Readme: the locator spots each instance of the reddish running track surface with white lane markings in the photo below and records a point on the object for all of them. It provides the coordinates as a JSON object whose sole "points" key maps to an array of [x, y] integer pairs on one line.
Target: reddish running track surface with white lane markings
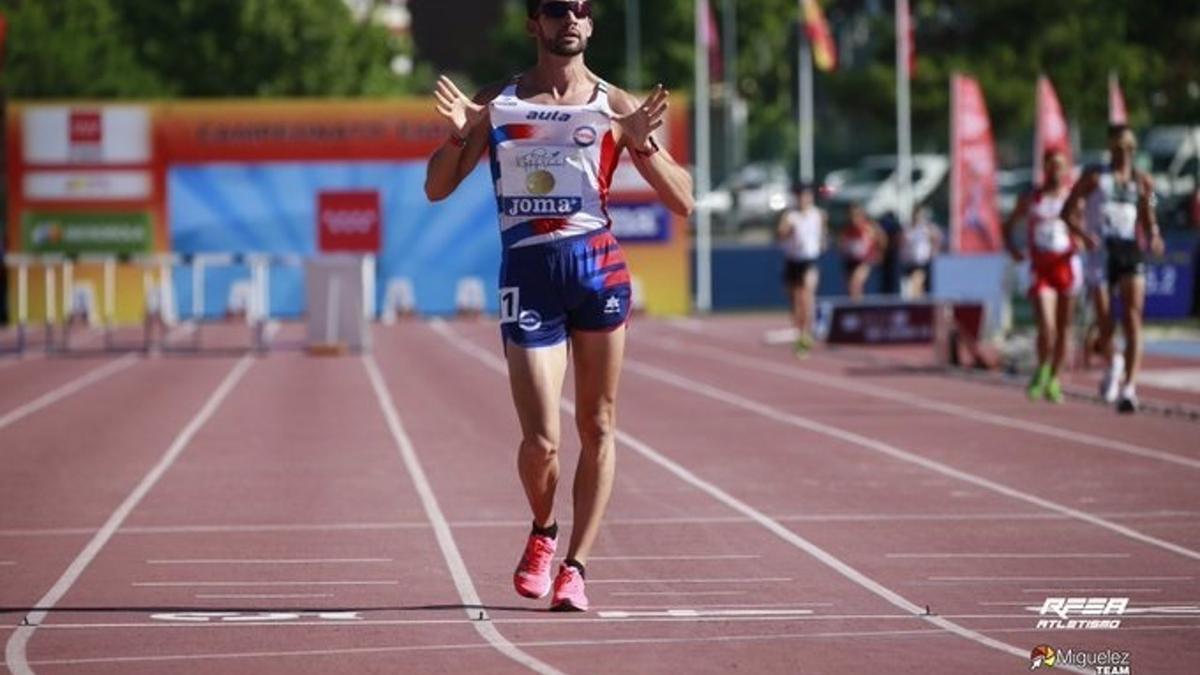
{"points": [[290, 515]]}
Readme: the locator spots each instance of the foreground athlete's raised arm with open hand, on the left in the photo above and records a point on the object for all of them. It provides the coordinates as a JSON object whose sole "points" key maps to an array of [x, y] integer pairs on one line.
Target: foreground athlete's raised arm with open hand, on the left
{"points": [[467, 122]]}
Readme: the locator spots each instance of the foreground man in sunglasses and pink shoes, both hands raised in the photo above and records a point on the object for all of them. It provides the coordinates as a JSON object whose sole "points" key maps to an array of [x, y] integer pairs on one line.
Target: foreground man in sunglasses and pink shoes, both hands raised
{"points": [[555, 135]]}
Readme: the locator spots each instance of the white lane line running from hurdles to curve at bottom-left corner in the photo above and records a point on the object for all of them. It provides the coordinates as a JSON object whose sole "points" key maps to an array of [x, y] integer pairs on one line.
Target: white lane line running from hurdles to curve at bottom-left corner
{"points": [[15, 649]]}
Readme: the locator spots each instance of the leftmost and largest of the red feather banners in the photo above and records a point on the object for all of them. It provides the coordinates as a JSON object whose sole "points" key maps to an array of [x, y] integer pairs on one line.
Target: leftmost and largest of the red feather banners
{"points": [[975, 222]]}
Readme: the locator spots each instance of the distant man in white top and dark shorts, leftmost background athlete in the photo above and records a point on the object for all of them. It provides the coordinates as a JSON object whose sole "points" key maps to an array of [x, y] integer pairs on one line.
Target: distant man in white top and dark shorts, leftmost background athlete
{"points": [[803, 235]]}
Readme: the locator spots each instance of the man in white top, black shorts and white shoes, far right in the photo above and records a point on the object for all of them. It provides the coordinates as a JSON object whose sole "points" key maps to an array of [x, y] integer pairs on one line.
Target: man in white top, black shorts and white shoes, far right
{"points": [[1118, 202]]}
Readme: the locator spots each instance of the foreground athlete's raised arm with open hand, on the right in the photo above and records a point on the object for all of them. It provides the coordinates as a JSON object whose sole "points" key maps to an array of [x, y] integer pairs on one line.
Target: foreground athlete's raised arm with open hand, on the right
{"points": [[635, 123]]}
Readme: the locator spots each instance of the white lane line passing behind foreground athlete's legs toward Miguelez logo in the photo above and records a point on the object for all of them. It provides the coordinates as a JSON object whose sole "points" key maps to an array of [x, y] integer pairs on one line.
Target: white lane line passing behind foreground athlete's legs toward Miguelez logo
{"points": [[764, 521]]}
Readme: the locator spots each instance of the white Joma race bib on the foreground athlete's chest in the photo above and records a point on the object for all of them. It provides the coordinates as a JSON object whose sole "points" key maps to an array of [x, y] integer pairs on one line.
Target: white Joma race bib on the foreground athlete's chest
{"points": [[543, 182]]}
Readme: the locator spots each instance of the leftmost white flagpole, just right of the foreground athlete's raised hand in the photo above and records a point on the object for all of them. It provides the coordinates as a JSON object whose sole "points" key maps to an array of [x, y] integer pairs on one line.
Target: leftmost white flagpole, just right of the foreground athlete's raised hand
{"points": [[704, 220]]}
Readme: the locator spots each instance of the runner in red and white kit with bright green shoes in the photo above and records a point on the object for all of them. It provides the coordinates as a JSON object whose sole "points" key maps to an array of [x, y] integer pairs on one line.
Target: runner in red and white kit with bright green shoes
{"points": [[1055, 267]]}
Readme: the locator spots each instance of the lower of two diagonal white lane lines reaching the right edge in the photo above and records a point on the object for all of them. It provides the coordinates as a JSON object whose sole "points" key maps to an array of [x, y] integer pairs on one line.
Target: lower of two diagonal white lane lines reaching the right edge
{"points": [[763, 410]]}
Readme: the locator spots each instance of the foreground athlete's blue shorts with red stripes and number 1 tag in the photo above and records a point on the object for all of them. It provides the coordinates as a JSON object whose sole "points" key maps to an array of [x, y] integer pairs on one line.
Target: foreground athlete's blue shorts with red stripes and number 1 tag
{"points": [[548, 291]]}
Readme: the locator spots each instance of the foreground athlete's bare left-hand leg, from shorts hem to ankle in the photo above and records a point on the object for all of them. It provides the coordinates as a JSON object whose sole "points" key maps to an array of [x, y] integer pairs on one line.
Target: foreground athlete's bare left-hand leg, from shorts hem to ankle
{"points": [[536, 378]]}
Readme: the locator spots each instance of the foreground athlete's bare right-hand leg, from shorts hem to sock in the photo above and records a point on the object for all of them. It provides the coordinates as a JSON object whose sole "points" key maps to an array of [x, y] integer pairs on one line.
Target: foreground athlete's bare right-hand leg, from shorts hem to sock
{"points": [[598, 357]]}
